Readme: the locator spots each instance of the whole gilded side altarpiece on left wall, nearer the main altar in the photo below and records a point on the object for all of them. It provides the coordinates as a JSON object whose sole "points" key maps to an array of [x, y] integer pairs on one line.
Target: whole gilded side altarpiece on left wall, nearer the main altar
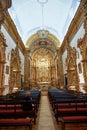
{"points": [[15, 70]]}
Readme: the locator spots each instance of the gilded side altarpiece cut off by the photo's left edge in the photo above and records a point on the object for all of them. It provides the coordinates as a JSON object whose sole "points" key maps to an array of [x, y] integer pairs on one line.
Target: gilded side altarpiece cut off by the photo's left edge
{"points": [[2, 59]]}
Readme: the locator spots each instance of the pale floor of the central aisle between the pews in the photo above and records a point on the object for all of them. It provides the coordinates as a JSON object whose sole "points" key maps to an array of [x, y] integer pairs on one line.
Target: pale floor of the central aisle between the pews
{"points": [[45, 118]]}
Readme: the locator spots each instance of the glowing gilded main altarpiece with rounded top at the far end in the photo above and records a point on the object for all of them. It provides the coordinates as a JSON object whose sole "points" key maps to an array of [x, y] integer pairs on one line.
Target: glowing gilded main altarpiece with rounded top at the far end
{"points": [[43, 67]]}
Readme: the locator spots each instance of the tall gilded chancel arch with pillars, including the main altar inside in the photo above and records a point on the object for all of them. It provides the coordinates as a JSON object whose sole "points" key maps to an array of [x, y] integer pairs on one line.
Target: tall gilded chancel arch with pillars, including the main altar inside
{"points": [[34, 45]]}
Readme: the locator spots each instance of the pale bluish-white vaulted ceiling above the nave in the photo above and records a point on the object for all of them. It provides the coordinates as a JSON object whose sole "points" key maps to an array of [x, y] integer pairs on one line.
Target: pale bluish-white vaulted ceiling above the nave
{"points": [[31, 16]]}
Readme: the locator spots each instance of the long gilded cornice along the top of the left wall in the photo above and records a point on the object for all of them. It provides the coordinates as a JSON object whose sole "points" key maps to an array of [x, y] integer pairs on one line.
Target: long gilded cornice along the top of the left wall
{"points": [[12, 30]]}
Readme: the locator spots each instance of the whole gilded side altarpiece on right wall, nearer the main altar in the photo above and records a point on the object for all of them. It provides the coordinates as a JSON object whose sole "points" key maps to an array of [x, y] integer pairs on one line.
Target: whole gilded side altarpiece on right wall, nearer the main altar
{"points": [[72, 75]]}
